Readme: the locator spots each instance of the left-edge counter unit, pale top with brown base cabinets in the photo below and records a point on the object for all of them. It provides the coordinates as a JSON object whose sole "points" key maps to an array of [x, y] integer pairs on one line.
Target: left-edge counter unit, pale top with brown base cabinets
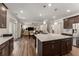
{"points": [[6, 46]]}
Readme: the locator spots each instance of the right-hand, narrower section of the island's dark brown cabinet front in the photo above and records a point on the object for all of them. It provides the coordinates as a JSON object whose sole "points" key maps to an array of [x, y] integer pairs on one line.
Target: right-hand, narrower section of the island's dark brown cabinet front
{"points": [[66, 46]]}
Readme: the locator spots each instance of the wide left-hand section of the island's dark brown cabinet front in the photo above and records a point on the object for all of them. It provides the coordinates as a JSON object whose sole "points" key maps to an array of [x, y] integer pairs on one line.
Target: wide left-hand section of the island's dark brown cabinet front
{"points": [[52, 48]]}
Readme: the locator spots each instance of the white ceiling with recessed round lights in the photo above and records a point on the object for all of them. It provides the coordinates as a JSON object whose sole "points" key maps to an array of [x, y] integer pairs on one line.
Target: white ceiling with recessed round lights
{"points": [[38, 12]]}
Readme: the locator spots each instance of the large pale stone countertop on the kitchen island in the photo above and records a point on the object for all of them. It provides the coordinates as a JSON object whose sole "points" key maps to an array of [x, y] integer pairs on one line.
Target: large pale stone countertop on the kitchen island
{"points": [[48, 37]]}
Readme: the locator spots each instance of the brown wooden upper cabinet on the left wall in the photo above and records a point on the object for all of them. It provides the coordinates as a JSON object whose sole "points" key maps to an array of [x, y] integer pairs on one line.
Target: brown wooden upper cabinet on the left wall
{"points": [[3, 15]]}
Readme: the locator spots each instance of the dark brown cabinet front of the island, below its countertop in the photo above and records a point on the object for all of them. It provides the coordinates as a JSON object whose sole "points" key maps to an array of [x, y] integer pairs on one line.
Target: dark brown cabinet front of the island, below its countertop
{"points": [[57, 47]]}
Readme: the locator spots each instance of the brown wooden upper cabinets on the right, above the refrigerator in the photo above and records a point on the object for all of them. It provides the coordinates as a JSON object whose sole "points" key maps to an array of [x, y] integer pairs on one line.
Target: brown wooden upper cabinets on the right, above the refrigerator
{"points": [[68, 22]]}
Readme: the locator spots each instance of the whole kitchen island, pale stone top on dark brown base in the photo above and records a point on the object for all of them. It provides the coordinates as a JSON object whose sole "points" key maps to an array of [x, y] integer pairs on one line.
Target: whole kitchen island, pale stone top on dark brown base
{"points": [[53, 44]]}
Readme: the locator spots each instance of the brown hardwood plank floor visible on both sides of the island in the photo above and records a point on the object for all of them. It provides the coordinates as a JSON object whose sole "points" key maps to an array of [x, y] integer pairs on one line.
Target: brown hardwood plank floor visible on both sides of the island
{"points": [[26, 47]]}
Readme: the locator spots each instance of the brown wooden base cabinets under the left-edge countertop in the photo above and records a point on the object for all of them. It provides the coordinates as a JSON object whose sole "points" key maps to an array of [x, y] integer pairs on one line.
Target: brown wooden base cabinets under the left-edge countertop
{"points": [[6, 48]]}
